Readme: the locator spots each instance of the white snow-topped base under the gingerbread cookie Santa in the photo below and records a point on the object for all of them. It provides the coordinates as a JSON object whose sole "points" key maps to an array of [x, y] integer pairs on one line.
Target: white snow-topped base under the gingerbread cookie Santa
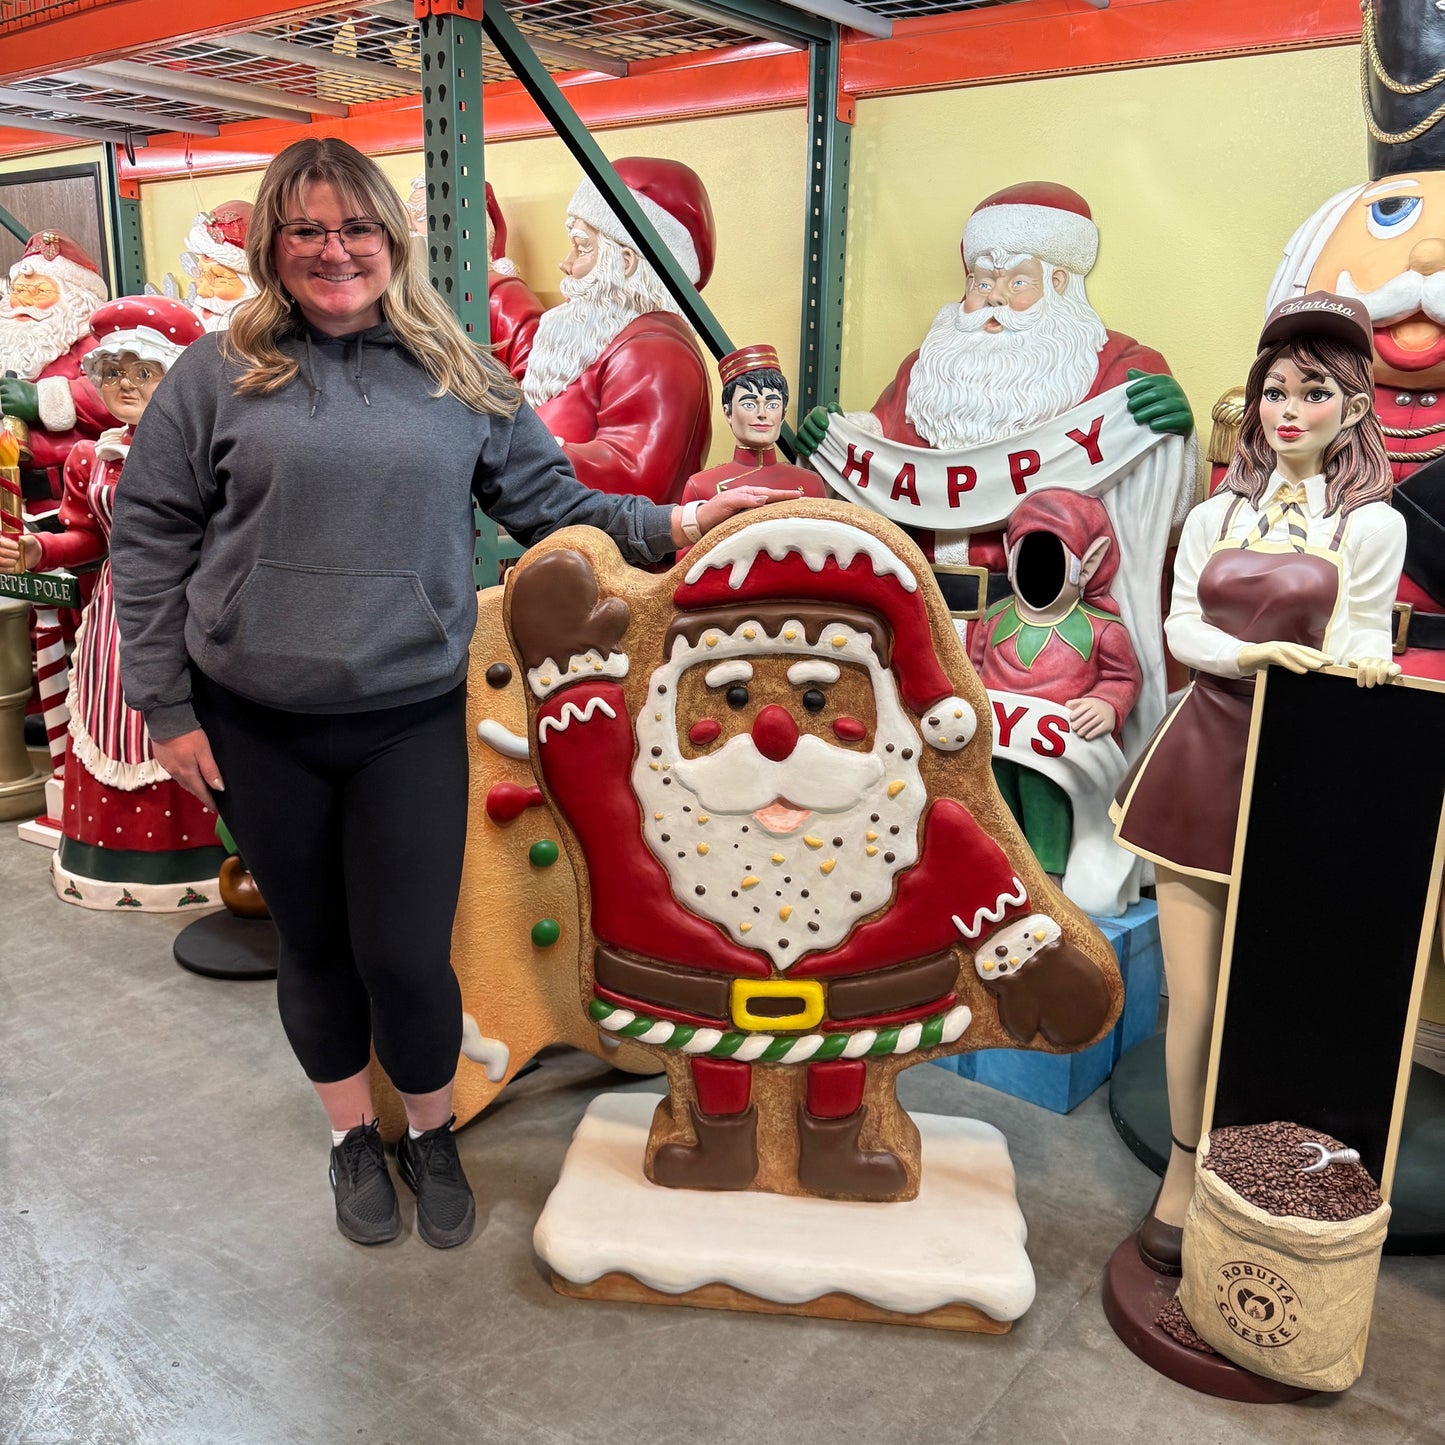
{"points": [[952, 1259]]}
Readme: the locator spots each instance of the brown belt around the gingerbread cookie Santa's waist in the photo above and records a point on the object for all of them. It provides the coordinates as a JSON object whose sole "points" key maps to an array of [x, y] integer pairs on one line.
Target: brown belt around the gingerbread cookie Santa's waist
{"points": [[710, 996]]}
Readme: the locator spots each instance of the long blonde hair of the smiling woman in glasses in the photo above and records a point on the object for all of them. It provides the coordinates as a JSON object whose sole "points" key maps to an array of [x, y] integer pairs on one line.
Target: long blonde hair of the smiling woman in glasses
{"points": [[421, 320]]}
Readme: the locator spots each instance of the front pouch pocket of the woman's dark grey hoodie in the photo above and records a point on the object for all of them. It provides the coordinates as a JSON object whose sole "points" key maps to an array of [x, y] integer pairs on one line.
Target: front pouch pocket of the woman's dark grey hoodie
{"points": [[311, 637]]}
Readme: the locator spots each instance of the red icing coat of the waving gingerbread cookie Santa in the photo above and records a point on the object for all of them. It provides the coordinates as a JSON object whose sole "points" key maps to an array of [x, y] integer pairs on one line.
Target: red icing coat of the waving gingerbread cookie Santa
{"points": [[587, 767]]}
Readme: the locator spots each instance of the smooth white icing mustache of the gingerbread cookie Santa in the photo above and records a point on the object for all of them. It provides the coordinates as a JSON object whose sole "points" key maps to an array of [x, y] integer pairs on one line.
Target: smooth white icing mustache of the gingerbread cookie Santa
{"points": [[817, 778]]}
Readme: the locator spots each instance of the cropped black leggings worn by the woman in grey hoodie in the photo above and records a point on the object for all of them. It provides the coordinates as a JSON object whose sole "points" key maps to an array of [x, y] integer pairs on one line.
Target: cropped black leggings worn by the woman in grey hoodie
{"points": [[355, 826]]}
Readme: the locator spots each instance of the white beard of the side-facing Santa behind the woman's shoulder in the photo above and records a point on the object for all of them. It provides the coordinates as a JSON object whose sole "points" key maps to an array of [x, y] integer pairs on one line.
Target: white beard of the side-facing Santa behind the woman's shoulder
{"points": [[573, 336]]}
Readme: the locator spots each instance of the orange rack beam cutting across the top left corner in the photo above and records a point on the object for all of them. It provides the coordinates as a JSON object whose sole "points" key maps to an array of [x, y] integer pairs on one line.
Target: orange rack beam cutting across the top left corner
{"points": [[122, 28]]}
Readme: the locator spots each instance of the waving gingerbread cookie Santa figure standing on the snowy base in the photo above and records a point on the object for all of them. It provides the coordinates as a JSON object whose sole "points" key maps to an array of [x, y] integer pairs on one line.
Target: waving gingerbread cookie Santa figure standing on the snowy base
{"points": [[797, 875]]}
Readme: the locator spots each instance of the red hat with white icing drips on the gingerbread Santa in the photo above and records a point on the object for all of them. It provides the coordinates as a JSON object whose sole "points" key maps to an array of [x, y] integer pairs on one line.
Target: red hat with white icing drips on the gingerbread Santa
{"points": [[816, 561]]}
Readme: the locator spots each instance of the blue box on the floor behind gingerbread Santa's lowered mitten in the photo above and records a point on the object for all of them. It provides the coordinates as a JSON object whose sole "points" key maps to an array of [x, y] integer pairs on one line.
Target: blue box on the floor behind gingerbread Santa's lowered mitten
{"points": [[1060, 1082]]}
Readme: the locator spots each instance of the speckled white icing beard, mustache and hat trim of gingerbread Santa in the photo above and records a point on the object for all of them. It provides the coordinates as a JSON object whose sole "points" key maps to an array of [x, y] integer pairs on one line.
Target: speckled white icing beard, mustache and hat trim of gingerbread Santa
{"points": [[834, 869]]}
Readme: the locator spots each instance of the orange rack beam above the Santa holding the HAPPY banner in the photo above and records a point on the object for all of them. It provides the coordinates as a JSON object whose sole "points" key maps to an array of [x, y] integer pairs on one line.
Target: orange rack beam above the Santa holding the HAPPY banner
{"points": [[1069, 37]]}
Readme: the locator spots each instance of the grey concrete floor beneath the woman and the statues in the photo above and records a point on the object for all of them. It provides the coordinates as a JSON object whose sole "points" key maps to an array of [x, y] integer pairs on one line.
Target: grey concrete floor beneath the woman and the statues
{"points": [[171, 1271]]}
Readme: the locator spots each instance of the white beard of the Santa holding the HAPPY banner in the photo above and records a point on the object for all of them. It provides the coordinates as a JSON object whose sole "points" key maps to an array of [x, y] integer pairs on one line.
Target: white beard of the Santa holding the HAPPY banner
{"points": [[972, 387]]}
